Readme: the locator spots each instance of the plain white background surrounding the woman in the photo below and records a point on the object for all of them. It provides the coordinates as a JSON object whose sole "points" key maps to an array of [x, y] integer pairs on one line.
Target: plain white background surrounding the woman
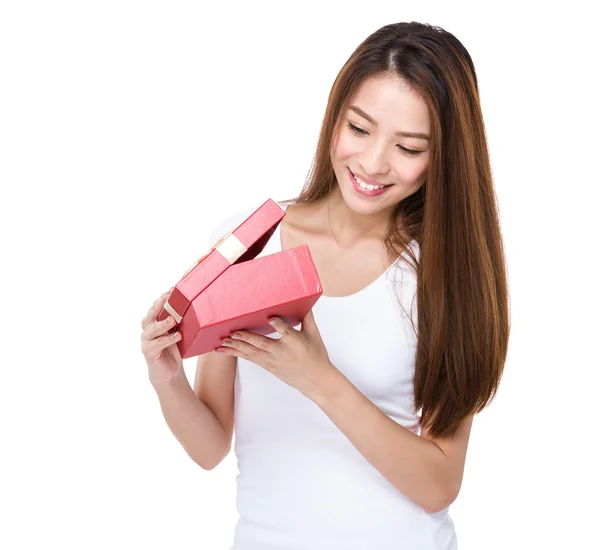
{"points": [[128, 130]]}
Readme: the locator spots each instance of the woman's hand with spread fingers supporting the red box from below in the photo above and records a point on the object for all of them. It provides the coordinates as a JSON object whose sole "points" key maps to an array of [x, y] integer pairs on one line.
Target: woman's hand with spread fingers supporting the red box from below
{"points": [[298, 358]]}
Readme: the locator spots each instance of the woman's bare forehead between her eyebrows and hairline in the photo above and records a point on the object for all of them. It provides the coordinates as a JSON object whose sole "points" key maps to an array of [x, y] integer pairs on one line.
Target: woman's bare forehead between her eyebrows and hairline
{"points": [[393, 104]]}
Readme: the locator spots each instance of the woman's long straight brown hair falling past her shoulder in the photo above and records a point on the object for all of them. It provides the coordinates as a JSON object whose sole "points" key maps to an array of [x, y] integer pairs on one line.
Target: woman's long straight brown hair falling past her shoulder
{"points": [[462, 293]]}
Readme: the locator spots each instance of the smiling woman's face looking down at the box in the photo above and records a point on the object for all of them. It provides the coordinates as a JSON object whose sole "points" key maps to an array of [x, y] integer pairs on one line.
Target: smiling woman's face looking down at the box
{"points": [[382, 107]]}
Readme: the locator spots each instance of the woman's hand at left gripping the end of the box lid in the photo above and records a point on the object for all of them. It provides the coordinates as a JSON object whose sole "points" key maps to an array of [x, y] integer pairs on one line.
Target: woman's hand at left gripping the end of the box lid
{"points": [[158, 346]]}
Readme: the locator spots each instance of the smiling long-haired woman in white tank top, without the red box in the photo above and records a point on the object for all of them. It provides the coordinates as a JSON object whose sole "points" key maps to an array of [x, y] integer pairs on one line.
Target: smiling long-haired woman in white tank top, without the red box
{"points": [[352, 432]]}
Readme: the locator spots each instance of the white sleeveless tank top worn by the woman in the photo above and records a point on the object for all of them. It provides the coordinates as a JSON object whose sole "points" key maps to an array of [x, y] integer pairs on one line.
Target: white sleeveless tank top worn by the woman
{"points": [[302, 485]]}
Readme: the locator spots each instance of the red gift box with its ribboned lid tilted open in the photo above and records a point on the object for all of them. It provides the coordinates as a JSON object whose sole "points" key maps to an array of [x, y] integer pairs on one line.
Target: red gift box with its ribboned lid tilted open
{"points": [[230, 289]]}
